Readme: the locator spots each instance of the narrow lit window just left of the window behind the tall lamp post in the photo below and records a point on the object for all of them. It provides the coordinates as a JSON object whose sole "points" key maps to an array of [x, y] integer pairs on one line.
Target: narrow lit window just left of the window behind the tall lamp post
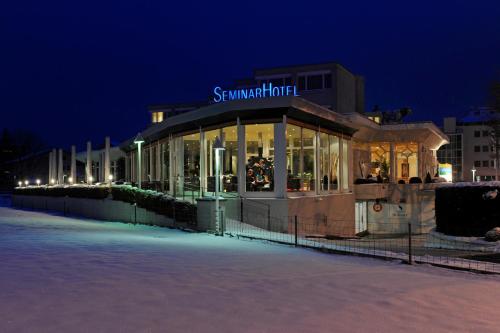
{"points": [[191, 143]]}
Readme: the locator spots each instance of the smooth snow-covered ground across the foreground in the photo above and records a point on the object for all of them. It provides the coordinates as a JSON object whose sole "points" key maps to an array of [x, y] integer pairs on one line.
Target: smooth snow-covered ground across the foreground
{"points": [[61, 274]]}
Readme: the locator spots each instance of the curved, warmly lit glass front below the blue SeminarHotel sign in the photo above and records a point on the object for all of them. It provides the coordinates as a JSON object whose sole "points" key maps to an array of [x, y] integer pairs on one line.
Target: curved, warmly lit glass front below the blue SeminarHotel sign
{"points": [[316, 162]]}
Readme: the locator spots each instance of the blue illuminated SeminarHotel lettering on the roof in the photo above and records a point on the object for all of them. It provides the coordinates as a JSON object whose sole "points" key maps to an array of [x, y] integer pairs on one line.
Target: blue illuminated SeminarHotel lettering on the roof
{"points": [[266, 90]]}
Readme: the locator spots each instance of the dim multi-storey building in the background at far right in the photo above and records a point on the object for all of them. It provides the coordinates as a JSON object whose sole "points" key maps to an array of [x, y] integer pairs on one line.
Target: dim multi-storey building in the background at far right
{"points": [[471, 145]]}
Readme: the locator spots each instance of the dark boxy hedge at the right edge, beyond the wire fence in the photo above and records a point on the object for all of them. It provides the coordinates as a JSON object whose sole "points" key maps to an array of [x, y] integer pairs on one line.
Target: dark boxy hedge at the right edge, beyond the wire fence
{"points": [[463, 210]]}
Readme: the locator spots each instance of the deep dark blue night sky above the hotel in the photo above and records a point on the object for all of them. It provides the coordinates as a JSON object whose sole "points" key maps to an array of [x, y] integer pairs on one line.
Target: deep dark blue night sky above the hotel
{"points": [[79, 70]]}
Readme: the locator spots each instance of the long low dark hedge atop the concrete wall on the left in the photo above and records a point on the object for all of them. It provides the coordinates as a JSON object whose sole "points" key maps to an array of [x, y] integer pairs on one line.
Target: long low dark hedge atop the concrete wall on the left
{"points": [[154, 201]]}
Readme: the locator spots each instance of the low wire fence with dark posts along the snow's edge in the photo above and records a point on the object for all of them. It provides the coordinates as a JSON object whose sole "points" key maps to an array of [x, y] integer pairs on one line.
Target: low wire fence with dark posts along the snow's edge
{"points": [[336, 237]]}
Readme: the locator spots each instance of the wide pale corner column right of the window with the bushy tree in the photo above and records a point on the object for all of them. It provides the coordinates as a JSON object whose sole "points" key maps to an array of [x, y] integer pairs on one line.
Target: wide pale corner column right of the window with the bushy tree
{"points": [[280, 172]]}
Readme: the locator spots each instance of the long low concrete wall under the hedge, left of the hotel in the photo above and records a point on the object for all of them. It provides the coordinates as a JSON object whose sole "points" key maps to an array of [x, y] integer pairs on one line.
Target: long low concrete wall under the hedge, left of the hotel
{"points": [[107, 209]]}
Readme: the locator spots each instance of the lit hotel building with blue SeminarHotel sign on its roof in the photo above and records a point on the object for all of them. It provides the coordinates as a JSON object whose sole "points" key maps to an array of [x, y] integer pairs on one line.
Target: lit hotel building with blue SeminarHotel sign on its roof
{"points": [[297, 155]]}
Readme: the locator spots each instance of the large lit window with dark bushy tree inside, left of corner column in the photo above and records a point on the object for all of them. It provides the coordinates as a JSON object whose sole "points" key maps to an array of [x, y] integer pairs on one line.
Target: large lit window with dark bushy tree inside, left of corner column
{"points": [[259, 157]]}
